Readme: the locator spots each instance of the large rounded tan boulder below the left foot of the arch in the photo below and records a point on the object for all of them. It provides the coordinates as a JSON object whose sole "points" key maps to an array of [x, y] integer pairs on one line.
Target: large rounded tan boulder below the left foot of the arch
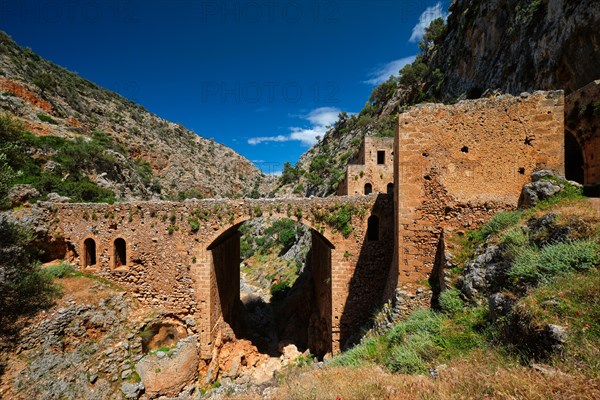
{"points": [[166, 376]]}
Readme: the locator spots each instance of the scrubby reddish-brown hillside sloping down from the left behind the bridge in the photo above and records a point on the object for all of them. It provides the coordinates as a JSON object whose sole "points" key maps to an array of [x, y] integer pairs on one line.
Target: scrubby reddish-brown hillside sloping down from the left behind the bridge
{"points": [[148, 157]]}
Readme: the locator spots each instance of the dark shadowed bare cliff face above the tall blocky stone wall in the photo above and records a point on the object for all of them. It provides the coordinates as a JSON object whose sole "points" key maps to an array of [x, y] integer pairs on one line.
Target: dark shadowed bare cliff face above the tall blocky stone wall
{"points": [[520, 45]]}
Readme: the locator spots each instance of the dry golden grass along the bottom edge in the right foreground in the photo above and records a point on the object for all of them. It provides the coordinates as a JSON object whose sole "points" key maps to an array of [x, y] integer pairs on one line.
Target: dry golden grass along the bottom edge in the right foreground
{"points": [[483, 375]]}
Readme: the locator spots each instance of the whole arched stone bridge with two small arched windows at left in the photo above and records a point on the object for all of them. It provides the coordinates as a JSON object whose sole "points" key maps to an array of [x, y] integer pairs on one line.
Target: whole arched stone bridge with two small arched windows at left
{"points": [[184, 257]]}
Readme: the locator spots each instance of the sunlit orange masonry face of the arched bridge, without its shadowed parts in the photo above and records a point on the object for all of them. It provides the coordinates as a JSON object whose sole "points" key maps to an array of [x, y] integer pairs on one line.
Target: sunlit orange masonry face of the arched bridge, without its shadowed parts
{"points": [[170, 263]]}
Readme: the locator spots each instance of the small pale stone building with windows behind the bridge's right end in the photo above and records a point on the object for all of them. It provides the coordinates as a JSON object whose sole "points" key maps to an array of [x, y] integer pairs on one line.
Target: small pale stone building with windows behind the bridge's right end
{"points": [[371, 170]]}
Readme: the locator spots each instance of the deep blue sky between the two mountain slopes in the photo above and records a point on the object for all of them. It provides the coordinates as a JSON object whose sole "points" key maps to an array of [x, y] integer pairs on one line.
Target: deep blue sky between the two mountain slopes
{"points": [[263, 77]]}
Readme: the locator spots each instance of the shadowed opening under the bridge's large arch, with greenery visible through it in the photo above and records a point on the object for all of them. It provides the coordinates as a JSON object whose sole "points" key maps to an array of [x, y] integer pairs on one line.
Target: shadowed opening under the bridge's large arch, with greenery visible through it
{"points": [[273, 280]]}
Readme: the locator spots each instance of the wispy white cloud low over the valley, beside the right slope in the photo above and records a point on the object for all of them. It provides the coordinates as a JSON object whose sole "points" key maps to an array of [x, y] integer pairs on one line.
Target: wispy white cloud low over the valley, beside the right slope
{"points": [[320, 119]]}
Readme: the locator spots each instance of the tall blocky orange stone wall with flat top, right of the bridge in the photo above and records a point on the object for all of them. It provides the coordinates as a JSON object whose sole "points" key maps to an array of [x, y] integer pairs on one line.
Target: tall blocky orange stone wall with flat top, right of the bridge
{"points": [[458, 165]]}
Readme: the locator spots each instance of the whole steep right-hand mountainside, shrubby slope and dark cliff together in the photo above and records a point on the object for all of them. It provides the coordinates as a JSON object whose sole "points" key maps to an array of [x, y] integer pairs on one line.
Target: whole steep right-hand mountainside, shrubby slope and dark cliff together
{"points": [[507, 45]]}
